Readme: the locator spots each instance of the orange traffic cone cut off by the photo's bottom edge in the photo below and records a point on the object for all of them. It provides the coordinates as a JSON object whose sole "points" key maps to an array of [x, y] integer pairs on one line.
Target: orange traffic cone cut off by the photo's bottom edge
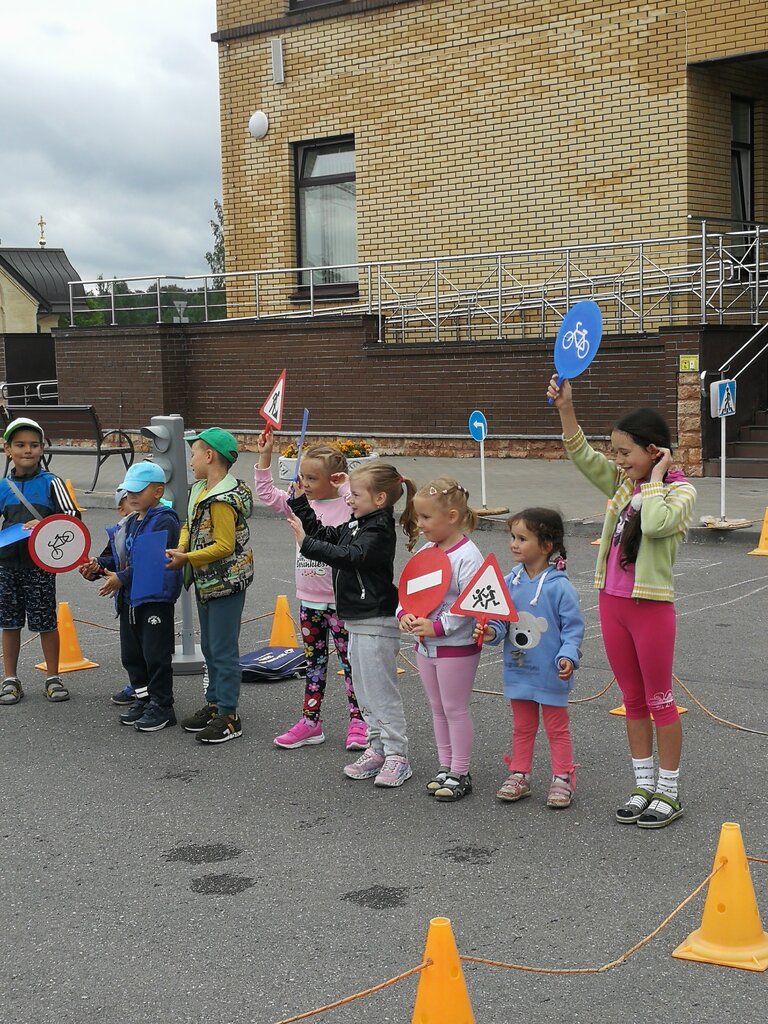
{"points": [[442, 997]]}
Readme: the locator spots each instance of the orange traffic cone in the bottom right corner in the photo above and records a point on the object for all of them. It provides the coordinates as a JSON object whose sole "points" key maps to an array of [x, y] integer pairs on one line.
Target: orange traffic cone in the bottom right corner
{"points": [[732, 933]]}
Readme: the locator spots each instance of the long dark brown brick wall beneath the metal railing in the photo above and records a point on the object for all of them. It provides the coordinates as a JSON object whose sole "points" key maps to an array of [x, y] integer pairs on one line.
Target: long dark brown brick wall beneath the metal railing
{"points": [[218, 374]]}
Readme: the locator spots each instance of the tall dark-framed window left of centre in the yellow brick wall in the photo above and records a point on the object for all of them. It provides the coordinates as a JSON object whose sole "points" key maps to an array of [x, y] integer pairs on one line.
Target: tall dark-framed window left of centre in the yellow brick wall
{"points": [[327, 226]]}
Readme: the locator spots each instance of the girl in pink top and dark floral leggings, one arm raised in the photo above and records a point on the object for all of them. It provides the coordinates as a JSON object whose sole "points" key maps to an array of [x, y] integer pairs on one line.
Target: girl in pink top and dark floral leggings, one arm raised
{"points": [[323, 470]]}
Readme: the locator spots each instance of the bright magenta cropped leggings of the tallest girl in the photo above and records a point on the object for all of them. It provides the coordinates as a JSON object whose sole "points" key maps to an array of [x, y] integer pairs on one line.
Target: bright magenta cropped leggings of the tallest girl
{"points": [[639, 639]]}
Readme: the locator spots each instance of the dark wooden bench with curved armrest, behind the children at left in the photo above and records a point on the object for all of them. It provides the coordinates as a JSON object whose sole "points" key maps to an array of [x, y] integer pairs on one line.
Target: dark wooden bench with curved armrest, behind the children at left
{"points": [[77, 422]]}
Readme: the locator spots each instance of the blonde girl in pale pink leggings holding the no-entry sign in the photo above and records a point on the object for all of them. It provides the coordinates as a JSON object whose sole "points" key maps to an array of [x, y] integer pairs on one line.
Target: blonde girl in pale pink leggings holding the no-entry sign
{"points": [[446, 654]]}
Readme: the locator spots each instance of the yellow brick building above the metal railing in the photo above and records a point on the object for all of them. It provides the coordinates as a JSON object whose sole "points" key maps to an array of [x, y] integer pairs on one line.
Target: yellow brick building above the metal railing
{"points": [[489, 125]]}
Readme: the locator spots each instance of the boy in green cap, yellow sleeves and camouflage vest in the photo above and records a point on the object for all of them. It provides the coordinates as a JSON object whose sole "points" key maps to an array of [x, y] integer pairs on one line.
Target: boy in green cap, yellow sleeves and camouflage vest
{"points": [[216, 552]]}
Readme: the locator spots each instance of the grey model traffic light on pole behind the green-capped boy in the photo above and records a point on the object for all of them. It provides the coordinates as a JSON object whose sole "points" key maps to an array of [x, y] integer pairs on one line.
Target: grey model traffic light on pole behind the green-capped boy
{"points": [[170, 453]]}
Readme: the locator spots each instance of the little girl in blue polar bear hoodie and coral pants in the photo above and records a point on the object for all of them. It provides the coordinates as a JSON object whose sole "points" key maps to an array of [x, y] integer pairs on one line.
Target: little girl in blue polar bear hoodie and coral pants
{"points": [[541, 653]]}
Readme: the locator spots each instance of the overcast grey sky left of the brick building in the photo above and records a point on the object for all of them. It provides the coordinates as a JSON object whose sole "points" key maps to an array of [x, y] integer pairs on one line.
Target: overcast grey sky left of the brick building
{"points": [[110, 130]]}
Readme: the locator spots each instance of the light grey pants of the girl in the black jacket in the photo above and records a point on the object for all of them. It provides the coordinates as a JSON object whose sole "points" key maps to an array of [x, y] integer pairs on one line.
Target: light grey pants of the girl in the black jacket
{"points": [[374, 660]]}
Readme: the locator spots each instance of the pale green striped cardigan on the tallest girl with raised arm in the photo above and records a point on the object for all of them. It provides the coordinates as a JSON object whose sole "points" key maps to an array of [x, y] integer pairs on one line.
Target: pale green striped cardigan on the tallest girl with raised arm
{"points": [[665, 518]]}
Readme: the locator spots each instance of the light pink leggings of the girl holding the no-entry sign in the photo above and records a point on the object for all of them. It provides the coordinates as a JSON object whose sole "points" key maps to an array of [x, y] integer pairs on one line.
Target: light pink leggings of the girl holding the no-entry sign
{"points": [[449, 682]]}
